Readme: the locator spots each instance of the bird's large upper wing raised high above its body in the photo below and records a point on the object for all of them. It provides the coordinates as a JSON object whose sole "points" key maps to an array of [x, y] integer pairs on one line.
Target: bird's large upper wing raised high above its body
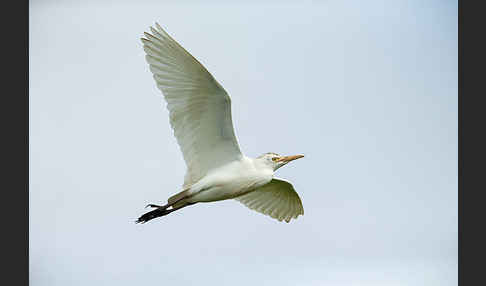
{"points": [[199, 107]]}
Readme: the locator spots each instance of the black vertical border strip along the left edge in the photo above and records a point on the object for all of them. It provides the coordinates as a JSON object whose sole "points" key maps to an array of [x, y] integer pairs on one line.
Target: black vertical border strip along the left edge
{"points": [[14, 209]]}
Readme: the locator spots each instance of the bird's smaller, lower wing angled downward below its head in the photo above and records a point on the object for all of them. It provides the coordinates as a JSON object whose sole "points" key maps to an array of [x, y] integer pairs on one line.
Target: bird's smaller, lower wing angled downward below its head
{"points": [[277, 199]]}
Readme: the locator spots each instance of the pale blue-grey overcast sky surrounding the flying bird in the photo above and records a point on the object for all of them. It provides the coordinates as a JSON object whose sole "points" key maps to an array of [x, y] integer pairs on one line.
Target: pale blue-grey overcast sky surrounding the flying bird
{"points": [[367, 90]]}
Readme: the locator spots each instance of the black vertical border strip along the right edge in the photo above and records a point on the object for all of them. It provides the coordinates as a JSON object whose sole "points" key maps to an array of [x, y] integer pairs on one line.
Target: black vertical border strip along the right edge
{"points": [[471, 143]]}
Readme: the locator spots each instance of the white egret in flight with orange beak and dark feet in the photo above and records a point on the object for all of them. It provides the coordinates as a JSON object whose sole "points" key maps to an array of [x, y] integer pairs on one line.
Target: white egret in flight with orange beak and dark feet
{"points": [[200, 116]]}
